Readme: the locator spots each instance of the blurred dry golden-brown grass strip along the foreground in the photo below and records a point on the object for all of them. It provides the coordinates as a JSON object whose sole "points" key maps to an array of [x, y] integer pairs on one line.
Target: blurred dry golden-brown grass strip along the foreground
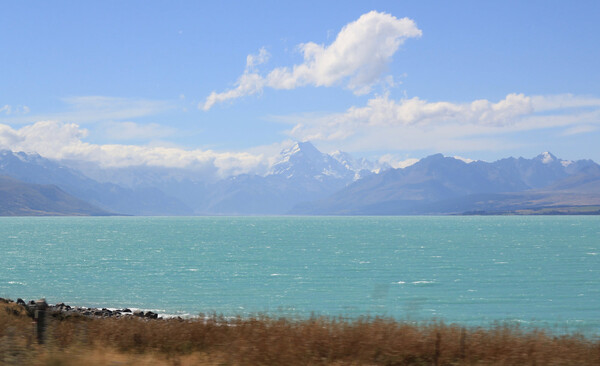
{"points": [[267, 341]]}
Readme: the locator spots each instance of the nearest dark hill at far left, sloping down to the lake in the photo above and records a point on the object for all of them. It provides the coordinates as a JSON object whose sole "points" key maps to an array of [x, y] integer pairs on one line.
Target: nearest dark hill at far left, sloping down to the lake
{"points": [[18, 198]]}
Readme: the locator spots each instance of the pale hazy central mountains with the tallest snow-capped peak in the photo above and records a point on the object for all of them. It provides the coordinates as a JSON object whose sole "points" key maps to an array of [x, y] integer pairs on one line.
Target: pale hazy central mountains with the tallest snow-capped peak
{"points": [[301, 173]]}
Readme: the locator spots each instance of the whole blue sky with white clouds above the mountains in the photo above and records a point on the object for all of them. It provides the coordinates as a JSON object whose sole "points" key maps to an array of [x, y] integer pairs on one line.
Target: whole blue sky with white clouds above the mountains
{"points": [[229, 84]]}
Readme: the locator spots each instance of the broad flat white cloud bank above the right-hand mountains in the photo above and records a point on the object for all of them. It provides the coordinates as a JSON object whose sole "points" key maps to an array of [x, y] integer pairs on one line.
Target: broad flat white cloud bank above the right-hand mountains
{"points": [[416, 124]]}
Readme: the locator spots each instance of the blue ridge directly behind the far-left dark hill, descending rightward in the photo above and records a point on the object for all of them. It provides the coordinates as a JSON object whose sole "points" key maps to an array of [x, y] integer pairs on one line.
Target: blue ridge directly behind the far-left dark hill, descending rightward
{"points": [[32, 168]]}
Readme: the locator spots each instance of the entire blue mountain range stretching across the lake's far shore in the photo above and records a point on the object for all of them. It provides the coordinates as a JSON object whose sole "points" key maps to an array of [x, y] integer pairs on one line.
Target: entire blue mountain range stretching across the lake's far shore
{"points": [[304, 181]]}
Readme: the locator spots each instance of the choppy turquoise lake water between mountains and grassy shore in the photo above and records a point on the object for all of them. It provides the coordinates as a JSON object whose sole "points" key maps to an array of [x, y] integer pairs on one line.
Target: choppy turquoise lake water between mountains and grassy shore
{"points": [[541, 271]]}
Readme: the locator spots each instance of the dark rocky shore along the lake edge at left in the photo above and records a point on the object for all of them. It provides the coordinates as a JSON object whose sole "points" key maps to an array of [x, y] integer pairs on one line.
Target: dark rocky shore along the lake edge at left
{"points": [[63, 310]]}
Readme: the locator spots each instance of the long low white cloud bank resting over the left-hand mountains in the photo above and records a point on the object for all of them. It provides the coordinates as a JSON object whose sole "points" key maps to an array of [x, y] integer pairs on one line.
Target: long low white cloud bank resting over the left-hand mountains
{"points": [[57, 140]]}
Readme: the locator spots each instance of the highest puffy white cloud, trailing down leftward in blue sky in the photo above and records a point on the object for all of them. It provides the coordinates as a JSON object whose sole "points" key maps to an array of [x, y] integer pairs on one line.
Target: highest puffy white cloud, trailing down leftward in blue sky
{"points": [[358, 58]]}
